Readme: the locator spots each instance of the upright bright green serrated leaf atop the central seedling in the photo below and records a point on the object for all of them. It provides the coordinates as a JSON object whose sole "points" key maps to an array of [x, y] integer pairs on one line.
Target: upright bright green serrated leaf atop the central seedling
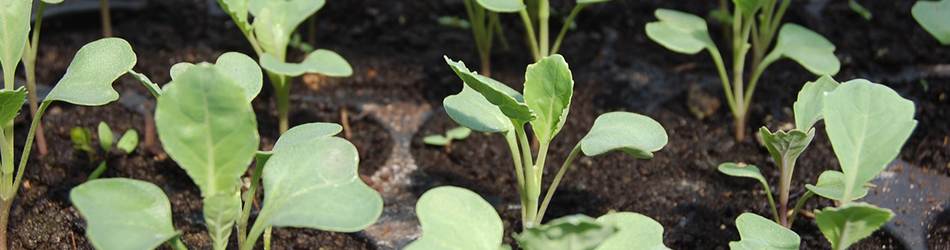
{"points": [[548, 89]]}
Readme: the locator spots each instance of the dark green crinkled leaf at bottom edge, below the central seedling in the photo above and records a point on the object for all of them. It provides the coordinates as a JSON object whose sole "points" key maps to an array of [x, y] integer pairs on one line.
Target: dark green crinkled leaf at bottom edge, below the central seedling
{"points": [[572, 232]]}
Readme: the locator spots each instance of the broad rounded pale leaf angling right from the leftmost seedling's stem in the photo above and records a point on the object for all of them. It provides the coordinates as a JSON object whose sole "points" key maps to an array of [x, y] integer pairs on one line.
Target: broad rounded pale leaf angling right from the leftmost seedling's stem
{"points": [[89, 77]]}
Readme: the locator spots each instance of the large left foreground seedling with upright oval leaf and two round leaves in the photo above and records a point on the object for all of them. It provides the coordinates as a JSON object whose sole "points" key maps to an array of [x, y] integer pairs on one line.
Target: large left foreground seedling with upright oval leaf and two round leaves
{"points": [[206, 124]]}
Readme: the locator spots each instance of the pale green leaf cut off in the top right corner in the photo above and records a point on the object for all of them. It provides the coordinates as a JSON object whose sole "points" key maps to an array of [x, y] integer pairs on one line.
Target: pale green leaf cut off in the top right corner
{"points": [[932, 15]]}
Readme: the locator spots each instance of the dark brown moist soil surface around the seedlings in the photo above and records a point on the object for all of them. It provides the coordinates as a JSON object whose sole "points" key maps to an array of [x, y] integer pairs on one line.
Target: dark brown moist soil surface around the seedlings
{"points": [[396, 50]]}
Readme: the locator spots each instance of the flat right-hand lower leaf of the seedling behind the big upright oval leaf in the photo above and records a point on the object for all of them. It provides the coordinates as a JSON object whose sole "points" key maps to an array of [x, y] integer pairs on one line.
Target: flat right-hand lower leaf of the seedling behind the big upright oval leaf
{"points": [[322, 61]]}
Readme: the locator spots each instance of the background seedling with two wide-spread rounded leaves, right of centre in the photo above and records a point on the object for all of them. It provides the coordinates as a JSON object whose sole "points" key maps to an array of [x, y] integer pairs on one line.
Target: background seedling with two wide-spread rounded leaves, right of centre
{"points": [[688, 34]]}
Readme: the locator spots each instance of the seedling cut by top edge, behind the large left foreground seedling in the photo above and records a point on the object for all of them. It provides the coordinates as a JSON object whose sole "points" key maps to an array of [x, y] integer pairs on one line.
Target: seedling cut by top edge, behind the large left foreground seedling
{"points": [[270, 34]]}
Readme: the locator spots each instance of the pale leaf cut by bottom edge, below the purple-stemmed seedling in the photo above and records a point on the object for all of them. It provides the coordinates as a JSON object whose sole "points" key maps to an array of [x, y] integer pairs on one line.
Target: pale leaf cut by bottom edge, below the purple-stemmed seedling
{"points": [[757, 233]]}
